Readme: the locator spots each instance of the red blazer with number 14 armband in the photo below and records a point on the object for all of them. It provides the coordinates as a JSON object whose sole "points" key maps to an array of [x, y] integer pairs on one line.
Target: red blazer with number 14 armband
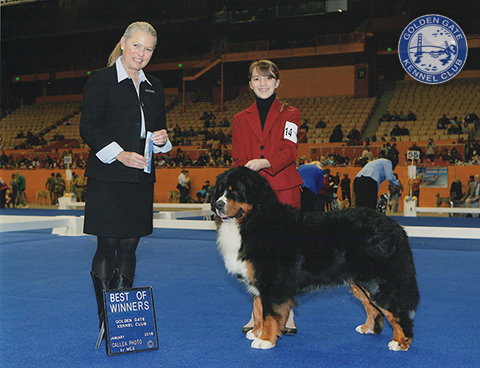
{"points": [[277, 143]]}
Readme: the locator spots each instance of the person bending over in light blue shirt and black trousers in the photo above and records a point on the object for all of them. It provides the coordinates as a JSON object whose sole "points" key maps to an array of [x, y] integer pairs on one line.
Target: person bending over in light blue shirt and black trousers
{"points": [[368, 180]]}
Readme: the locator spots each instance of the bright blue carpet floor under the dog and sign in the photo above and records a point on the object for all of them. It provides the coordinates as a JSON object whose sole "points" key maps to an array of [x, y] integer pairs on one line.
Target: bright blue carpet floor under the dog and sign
{"points": [[48, 310]]}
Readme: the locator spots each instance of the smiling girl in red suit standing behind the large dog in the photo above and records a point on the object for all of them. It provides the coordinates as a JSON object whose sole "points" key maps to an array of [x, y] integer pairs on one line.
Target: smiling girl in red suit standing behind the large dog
{"points": [[264, 139]]}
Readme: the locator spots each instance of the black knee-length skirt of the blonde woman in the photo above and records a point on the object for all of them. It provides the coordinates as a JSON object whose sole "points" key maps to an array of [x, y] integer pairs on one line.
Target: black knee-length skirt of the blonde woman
{"points": [[119, 210]]}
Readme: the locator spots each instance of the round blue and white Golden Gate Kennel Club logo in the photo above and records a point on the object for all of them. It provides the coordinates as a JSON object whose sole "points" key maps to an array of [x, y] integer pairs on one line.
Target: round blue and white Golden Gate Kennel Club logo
{"points": [[433, 49]]}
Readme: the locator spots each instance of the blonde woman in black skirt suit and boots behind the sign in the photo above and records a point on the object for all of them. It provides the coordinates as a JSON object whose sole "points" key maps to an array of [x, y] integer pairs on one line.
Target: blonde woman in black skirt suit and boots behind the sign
{"points": [[122, 106]]}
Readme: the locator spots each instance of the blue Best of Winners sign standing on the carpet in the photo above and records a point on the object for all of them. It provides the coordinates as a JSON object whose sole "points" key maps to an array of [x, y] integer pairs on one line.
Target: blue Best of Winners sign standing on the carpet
{"points": [[130, 321]]}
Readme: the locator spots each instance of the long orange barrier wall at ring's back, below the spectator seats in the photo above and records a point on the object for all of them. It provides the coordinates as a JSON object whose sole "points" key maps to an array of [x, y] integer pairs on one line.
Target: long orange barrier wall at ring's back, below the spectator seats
{"points": [[167, 180]]}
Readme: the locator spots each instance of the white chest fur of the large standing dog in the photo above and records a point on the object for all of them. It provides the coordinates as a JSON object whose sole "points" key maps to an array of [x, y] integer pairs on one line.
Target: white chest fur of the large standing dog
{"points": [[229, 242]]}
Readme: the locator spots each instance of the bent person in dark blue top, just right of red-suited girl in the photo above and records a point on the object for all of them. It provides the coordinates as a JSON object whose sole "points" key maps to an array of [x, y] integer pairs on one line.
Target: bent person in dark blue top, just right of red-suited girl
{"points": [[312, 176]]}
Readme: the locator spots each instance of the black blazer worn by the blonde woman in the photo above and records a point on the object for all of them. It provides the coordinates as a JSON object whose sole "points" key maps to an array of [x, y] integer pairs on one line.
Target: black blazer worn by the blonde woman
{"points": [[111, 112]]}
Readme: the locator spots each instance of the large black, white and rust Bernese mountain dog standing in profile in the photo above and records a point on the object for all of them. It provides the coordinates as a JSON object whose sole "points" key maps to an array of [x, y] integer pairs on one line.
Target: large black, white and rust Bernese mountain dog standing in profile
{"points": [[280, 252]]}
